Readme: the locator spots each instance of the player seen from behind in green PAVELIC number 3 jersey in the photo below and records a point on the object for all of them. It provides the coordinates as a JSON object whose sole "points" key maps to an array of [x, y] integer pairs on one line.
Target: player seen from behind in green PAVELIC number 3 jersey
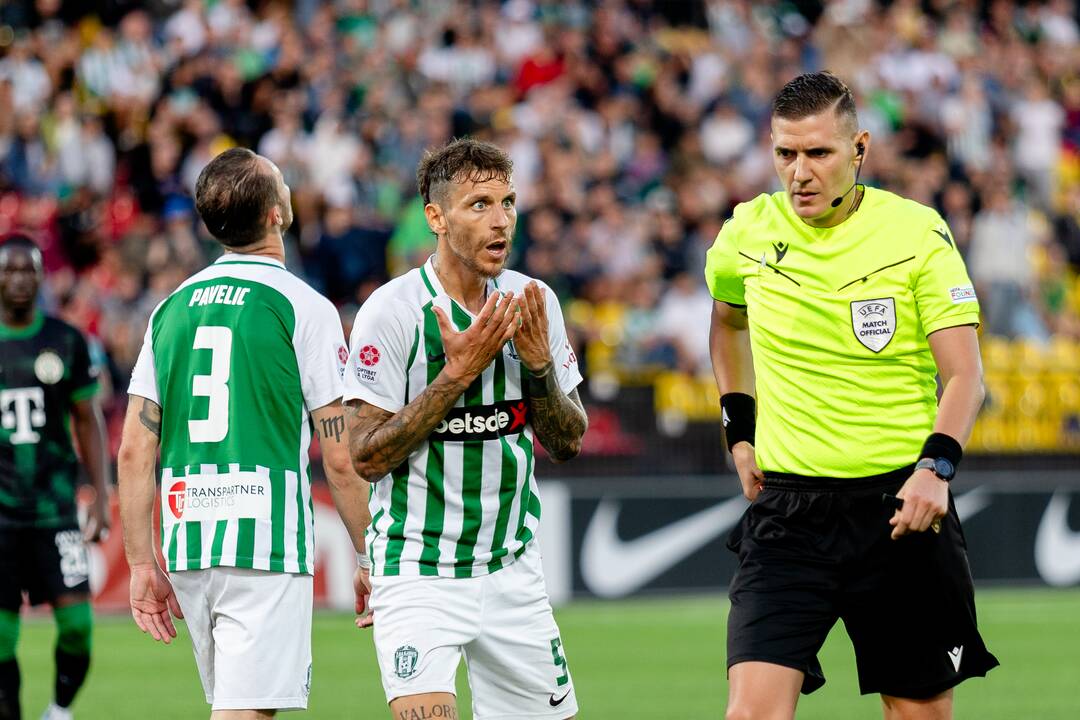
{"points": [[235, 368]]}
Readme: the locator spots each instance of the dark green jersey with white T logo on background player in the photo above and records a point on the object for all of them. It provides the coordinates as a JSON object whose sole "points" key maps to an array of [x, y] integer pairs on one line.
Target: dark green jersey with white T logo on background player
{"points": [[45, 369]]}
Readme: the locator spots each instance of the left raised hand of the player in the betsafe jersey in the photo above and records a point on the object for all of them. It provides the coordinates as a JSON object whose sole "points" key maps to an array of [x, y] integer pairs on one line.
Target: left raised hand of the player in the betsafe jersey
{"points": [[472, 350]]}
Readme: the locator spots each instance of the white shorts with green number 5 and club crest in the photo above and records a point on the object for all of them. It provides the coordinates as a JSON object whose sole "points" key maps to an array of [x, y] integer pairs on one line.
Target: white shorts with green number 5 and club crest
{"points": [[502, 622]]}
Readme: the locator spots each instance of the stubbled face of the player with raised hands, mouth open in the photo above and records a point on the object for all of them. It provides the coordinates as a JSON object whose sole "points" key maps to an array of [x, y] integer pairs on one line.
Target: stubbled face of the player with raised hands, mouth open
{"points": [[479, 224]]}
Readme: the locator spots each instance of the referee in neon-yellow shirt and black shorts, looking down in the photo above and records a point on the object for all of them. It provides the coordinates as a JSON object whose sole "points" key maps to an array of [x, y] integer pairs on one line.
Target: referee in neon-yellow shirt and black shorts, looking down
{"points": [[855, 300]]}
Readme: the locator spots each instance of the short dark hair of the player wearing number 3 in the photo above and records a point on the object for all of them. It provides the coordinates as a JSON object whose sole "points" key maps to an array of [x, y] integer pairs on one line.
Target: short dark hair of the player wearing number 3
{"points": [[234, 195]]}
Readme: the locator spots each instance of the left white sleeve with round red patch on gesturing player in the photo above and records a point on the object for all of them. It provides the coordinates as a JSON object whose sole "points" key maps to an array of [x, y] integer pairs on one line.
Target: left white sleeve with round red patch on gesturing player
{"points": [[379, 357]]}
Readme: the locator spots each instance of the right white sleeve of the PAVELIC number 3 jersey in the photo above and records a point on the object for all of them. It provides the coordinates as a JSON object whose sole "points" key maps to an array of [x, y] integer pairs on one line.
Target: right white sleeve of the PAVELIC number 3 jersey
{"points": [[321, 356]]}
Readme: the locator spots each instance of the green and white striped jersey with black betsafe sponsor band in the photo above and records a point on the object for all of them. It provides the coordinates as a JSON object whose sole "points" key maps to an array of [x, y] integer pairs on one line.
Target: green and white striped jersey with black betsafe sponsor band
{"points": [[466, 501]]}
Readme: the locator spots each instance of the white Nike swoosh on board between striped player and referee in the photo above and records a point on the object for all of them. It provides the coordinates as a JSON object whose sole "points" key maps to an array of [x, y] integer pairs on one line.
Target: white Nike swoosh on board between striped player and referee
{"points": [[613, 567]]}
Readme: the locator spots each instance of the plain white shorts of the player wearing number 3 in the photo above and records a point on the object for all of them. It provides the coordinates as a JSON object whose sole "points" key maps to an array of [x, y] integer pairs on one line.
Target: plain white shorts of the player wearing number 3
{"points": [[251, 631]]}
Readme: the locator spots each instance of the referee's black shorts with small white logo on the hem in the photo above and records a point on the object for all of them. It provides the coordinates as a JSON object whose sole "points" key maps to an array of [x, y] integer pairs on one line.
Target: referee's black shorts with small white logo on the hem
{"points": [[814, 551]]}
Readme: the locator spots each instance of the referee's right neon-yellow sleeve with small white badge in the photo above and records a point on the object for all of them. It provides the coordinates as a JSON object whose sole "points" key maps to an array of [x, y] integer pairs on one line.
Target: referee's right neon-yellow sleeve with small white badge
{"points": [[943, 291]]}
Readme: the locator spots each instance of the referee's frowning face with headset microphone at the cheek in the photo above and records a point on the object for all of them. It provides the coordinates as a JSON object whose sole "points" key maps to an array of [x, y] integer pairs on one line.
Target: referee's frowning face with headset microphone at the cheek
{"points": [[816, 158]]}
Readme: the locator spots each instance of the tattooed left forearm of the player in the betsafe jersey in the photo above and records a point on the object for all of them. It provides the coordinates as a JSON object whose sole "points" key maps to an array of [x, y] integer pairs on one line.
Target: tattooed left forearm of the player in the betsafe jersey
{"points": [[380, 442]]}
